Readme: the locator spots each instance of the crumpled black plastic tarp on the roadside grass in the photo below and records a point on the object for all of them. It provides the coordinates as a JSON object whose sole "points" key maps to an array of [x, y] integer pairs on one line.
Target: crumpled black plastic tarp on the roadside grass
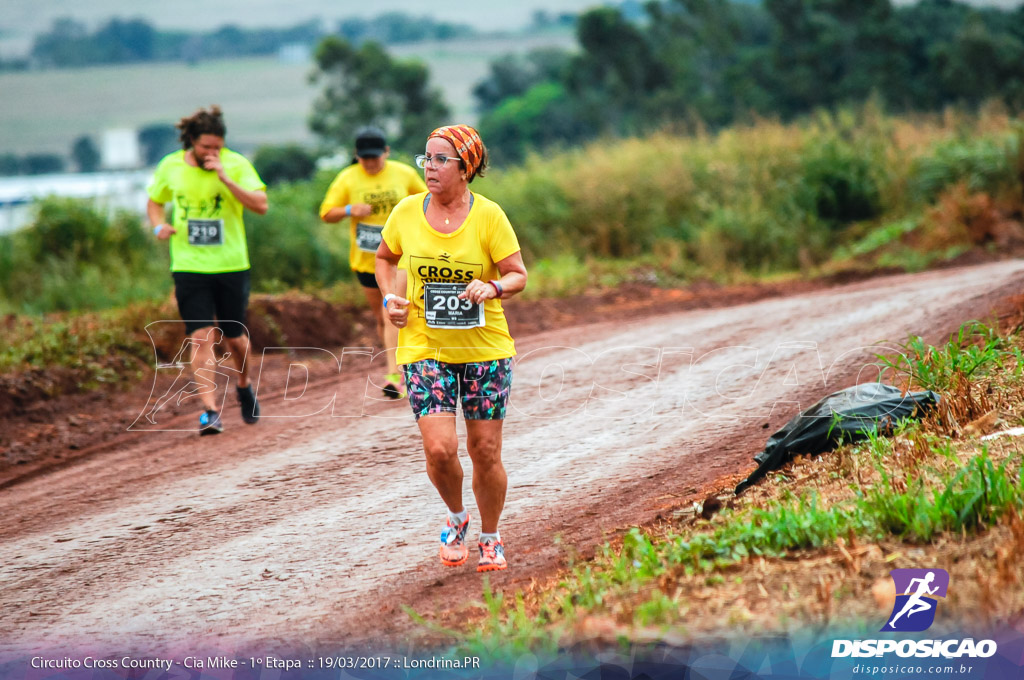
{"points": [[845, 416]]}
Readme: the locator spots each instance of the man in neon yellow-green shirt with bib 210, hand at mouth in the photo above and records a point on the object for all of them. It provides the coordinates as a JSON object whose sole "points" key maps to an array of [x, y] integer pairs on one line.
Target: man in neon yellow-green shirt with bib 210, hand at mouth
{"points": [[209, 187]]}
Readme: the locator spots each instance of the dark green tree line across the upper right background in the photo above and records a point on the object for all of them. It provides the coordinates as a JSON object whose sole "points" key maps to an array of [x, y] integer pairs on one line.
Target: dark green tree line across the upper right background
{"points": [[695, 63]]}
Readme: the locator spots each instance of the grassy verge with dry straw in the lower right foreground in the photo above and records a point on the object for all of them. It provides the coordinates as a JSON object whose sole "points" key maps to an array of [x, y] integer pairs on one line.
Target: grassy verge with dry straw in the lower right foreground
{"points": [[813, 546]]}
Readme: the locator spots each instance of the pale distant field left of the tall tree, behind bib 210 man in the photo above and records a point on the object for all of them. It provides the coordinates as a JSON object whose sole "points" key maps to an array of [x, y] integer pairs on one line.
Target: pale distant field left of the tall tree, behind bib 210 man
{"points": [[264, 100]]}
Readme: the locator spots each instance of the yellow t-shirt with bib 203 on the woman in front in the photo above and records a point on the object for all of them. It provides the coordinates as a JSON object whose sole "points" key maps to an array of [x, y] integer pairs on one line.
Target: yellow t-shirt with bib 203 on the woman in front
{"points": [[440, 266]]}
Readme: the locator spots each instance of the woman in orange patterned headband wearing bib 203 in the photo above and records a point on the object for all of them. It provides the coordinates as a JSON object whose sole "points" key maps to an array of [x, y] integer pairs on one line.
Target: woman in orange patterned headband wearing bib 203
{"points": [[462, 257]]}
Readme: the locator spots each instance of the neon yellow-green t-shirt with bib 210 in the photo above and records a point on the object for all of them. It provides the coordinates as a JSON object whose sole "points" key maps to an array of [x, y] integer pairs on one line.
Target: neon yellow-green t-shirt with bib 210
{"points": [[210, 235]]}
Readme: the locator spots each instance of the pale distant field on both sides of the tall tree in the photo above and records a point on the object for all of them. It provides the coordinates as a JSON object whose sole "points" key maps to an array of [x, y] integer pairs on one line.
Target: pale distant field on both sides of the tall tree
{"points": [[265, 101]]}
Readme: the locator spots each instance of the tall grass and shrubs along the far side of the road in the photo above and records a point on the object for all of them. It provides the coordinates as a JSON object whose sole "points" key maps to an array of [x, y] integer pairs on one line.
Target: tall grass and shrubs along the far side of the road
{"points": [[856, 189]]}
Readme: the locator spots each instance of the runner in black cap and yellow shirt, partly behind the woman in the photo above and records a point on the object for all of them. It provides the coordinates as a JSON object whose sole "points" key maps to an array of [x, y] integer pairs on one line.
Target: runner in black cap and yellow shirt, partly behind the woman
{"points": [[367, 192]]}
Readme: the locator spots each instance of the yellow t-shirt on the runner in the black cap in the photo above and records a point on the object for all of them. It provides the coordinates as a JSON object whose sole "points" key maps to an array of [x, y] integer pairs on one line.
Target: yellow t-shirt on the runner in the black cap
{"points": [[383, 192]]}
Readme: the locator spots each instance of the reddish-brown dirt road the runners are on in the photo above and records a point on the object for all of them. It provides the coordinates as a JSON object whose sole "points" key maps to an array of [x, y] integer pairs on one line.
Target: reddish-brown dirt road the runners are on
{"points": [[312, 530]]}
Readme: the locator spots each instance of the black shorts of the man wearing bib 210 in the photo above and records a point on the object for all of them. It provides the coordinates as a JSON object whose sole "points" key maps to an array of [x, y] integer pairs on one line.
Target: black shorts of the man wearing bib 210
{"points": [[206, 297]]}
